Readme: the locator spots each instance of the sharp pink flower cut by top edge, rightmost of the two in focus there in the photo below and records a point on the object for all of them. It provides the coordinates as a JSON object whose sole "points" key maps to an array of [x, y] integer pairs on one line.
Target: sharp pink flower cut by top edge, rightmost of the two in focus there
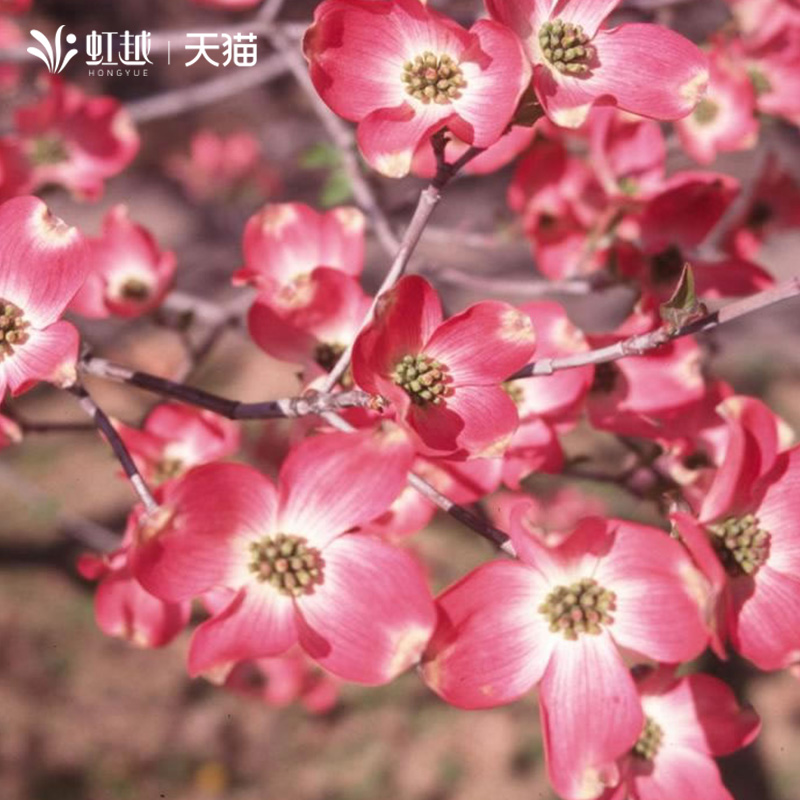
{"points": [[641, 68]]}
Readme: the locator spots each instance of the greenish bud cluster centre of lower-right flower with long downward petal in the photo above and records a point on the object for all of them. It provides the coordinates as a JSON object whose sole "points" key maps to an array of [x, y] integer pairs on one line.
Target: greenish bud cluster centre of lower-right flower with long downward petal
{"points": [[581, 607]]}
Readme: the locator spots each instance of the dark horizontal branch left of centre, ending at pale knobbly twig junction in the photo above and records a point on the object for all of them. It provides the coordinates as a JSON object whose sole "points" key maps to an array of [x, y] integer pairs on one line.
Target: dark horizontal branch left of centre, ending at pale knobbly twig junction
{"points": [[287, 407]]}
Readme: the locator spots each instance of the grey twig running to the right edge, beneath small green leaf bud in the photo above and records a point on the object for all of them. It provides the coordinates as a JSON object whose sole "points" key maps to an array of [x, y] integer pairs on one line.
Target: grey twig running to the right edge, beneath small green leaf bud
{"points": [[642, 343]]}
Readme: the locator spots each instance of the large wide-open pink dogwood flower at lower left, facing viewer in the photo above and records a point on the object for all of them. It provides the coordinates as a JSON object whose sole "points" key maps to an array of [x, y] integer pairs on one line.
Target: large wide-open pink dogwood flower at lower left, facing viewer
{"points": [[356, 605]]}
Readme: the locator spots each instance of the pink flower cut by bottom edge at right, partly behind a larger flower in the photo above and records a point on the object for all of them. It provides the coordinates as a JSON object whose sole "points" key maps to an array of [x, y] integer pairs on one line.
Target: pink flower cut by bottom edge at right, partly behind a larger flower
{"points": [[688, 721]]}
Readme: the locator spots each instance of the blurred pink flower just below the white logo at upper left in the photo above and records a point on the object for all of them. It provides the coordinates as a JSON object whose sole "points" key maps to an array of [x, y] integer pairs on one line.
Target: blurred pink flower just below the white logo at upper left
{"points": [[76, 141]]}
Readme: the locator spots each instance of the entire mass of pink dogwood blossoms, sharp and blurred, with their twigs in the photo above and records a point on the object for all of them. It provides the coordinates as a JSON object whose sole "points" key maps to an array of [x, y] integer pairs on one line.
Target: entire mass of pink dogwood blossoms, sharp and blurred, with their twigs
{"points": [[302, 562]]}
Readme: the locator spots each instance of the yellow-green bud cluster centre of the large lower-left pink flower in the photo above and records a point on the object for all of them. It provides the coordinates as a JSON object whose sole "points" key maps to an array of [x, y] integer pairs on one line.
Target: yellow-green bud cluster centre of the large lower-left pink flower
{"points": [[287, 563]]}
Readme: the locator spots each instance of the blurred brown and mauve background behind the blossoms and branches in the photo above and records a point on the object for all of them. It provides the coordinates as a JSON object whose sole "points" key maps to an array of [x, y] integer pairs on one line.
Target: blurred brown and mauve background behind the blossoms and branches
{"points": [[84, 717]]}
